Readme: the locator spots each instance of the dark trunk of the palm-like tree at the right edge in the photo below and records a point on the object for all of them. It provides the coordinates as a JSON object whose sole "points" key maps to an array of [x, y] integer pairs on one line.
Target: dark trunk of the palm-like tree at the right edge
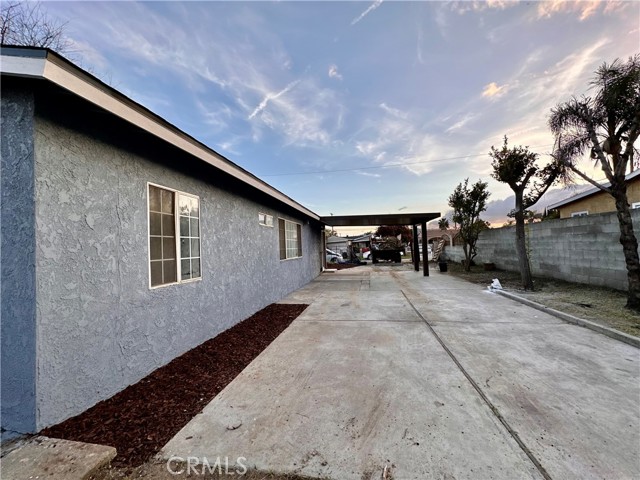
{"points": [[629, 245]]}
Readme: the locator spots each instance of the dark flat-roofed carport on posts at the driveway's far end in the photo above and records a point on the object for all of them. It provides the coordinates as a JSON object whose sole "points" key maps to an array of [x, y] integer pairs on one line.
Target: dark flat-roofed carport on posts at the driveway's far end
{"points": [[413, 219]]}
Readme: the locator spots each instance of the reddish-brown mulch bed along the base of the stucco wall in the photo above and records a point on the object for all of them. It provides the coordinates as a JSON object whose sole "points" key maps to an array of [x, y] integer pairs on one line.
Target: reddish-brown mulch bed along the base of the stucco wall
{"points": [[142, 418]]}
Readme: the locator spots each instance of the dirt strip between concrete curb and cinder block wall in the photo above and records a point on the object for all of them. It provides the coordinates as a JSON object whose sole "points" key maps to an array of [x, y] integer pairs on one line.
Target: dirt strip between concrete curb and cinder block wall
{"points": [[604, 306]]}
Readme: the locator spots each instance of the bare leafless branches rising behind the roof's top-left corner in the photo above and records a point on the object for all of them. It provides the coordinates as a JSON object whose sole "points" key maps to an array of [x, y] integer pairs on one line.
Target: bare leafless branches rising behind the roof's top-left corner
{"points": [[28, 24]]}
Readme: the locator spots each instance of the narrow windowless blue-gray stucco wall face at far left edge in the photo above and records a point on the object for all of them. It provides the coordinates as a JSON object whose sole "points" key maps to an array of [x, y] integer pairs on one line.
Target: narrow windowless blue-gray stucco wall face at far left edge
{"points": [[17, 263]]}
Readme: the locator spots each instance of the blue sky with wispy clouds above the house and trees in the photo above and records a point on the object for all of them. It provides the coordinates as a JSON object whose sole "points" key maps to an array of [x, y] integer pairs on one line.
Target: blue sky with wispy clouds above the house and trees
{"points": [[355, 107]]}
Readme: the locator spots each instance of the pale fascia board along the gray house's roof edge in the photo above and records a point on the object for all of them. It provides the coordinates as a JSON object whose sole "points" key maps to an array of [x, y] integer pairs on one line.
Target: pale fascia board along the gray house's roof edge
{"points": [[44, 64]]}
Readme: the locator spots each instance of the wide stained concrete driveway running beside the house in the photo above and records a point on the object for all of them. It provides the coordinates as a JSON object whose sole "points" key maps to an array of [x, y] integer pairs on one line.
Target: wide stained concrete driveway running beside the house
{"points": [[426, 377]]}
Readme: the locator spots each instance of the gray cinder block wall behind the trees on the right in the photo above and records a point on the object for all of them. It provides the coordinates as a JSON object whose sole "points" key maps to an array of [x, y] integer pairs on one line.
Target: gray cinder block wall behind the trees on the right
{"points": [[582, 249]]}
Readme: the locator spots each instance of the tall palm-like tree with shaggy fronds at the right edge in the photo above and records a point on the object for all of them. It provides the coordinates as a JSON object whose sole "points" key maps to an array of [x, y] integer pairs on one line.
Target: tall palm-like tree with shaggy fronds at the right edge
{"points": [[606, 126]]}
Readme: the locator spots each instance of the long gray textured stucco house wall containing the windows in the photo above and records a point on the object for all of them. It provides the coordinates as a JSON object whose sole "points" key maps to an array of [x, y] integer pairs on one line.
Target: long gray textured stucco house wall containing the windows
{"points": [[100, 327]]}
